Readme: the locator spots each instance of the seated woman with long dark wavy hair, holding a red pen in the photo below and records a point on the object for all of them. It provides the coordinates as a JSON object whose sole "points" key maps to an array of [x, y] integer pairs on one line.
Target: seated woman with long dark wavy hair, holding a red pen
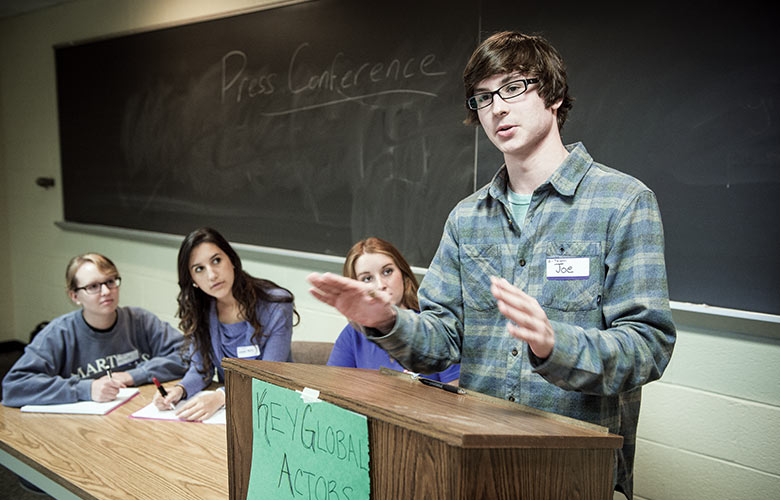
{"points": [[225, 313]]}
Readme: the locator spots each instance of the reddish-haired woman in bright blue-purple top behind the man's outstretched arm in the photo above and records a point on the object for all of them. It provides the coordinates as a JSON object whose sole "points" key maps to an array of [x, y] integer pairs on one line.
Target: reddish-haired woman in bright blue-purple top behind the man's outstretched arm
{"points": [[376, 261]]}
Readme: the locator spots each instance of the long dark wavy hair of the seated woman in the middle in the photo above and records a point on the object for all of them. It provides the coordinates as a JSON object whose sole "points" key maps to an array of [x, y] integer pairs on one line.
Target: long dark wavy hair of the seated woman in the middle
{"points": [[195, 304]]}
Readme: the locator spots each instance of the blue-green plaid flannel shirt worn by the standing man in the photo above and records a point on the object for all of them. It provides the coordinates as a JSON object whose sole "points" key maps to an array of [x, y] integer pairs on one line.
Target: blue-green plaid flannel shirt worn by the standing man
{"points": [[613, 330]]}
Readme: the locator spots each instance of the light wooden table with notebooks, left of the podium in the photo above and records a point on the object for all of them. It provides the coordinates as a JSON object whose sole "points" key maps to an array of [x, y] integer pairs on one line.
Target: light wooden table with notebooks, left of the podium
{"points": [[114, 456]]}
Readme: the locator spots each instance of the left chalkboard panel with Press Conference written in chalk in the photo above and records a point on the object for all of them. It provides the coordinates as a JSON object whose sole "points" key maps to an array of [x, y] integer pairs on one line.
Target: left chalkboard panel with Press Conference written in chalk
{"points": [[303, 127]]}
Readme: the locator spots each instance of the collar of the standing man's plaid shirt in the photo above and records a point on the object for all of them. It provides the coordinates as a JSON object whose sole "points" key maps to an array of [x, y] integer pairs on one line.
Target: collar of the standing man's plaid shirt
{"points": [[565, 179]]}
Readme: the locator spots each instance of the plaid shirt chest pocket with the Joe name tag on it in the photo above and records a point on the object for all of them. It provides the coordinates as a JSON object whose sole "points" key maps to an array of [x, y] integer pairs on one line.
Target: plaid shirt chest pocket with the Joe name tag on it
{"points": [[573, 275]]}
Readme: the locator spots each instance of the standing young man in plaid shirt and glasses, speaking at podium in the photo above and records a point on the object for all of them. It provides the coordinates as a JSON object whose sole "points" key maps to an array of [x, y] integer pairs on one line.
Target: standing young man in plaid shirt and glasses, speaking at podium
{"points": [[549, 284]]}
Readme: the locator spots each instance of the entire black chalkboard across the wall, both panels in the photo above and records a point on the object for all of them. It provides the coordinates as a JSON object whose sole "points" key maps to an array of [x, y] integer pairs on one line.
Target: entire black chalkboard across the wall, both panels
{"points": [[265, 126]]}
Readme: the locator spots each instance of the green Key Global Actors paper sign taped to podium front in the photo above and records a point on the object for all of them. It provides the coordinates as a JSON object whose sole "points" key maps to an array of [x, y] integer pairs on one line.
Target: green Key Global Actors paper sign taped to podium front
{"points": [[303, 447]]}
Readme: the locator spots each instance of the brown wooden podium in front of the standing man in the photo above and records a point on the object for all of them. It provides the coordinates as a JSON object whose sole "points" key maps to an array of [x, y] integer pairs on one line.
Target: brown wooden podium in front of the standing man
{"points": [[427, 443]]}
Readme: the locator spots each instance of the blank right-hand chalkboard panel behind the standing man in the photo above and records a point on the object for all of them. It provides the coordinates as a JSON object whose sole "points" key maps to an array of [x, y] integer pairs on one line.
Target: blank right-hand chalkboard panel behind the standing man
{"points": [[685, 98]]}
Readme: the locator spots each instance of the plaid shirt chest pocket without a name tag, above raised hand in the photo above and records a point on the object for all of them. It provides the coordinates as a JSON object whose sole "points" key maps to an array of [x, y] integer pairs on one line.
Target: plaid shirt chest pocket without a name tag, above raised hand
{"points": [[478, 264]]}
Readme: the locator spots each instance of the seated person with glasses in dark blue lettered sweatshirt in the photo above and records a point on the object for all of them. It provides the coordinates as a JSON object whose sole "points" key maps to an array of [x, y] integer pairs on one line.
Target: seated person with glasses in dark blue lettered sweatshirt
{"points": [[91, 353]]}
